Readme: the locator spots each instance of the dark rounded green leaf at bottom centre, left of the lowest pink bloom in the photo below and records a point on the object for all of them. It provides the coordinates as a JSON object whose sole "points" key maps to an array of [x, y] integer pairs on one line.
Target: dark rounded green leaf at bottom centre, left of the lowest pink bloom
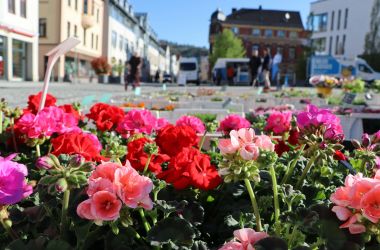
{"points": [[176, 230]]}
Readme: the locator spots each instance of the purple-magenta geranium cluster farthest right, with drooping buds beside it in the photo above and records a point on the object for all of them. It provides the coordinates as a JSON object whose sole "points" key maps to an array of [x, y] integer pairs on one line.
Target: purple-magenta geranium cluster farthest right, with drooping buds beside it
{"points": [[313, 119]]}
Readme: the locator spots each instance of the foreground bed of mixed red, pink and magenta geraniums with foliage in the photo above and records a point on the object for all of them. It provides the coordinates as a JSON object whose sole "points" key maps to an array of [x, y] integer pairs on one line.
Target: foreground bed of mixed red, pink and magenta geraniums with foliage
{"points": [[119, 177]]}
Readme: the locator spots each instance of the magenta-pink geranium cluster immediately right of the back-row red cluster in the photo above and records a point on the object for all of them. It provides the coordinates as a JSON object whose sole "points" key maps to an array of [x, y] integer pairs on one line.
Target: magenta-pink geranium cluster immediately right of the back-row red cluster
{"points": [[138, 121]]}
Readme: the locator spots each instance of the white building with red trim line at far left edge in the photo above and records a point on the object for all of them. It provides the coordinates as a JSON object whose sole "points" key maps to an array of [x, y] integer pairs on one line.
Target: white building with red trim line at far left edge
{"points": [[19, 40]]}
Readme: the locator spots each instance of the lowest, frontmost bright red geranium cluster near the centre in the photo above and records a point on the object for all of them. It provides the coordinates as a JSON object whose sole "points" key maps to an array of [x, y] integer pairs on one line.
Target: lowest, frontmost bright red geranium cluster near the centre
{"points": [[191, 168]]}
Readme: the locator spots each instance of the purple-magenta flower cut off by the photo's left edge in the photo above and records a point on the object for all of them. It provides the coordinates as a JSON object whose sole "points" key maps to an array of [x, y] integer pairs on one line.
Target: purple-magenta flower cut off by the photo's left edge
{"points": [[13, 185]]}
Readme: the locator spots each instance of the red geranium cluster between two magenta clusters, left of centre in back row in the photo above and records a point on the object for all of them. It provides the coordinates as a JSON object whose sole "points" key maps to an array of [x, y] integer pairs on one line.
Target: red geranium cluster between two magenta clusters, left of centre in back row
{"points": [[106, 117]]}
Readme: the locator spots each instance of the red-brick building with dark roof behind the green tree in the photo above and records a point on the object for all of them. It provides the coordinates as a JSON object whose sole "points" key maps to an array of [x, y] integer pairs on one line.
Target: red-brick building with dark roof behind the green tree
{"points": [[279, 31]]}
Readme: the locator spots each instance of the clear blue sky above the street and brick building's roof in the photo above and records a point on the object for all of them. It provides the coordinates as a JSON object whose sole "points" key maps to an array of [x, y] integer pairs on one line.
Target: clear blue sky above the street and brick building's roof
{"points": [[187, 21]]}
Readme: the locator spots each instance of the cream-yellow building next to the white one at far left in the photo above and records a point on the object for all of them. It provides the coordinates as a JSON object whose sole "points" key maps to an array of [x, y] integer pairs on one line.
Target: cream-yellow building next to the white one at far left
{"points": [[60, 19]]}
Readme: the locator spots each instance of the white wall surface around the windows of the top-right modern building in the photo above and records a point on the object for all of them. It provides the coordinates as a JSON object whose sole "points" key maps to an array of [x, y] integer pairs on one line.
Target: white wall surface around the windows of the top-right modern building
{"points": [[358, 25]]}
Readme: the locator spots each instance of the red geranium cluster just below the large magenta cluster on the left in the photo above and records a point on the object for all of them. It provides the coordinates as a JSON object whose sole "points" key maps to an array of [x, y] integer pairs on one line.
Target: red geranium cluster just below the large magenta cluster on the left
{"points": [[85, 144]]}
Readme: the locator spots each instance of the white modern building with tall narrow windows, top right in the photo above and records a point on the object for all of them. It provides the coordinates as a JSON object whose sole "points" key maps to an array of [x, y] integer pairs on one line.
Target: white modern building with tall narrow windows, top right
{"points": [[339, 26]]}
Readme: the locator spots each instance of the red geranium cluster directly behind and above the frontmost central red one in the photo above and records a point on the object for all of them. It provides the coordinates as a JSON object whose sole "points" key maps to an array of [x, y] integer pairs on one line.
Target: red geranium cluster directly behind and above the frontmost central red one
{"points": [[172, 139]]}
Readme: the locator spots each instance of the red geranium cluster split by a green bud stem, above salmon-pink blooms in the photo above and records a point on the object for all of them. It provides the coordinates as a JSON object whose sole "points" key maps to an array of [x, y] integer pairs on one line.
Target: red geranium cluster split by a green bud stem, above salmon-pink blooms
{"points": [[138, 158]]}
